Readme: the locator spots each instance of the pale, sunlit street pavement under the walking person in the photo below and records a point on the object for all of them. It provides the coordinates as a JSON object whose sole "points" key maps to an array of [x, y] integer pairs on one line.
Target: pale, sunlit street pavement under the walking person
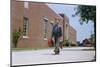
{"points": [[42, 56]]}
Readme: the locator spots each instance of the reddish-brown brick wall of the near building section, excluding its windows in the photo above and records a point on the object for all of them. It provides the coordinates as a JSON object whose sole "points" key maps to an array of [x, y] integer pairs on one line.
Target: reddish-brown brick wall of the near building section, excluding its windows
{"points": [[35, 13]]}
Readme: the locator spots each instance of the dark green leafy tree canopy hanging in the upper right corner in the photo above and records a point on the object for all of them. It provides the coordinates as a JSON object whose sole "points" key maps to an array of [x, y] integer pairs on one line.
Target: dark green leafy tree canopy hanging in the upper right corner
{"points": [[86, 13]]}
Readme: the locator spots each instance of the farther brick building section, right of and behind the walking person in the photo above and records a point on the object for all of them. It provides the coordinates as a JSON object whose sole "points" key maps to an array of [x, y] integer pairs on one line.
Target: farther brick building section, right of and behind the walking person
{"points": [[68, 31]]}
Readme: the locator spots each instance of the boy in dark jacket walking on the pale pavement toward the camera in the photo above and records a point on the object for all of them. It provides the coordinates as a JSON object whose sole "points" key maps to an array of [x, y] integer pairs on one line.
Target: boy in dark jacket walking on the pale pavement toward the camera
{"points": [[56, 33]]}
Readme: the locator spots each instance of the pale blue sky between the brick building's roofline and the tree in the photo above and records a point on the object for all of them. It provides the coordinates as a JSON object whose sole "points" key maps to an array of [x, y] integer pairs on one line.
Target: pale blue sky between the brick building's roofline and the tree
{"points": [[83, 31]]}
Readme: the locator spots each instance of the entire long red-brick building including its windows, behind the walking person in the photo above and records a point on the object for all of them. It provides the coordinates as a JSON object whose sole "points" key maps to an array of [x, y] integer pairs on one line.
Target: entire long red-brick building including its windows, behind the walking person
{"points": [[35, 21]]}
